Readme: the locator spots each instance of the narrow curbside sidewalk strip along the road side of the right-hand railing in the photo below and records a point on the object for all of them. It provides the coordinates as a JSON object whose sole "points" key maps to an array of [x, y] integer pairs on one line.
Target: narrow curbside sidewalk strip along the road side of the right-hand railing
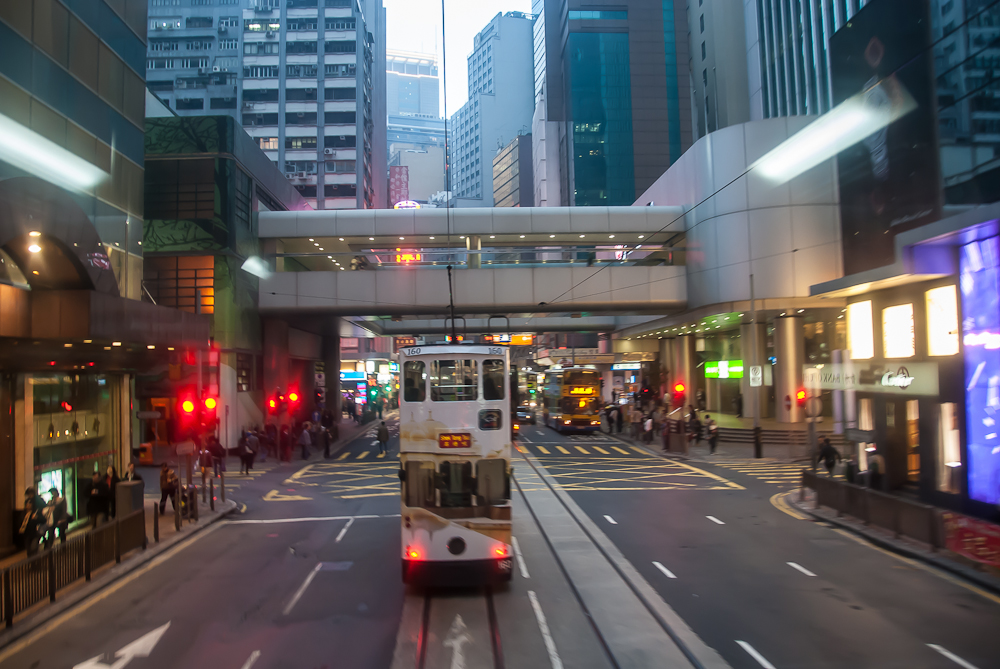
{"points": [[804, 500]]}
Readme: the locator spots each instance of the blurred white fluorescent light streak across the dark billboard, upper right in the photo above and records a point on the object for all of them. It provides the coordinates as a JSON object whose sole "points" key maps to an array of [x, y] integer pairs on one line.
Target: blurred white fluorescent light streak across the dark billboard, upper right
{"points": [[845, 125]]}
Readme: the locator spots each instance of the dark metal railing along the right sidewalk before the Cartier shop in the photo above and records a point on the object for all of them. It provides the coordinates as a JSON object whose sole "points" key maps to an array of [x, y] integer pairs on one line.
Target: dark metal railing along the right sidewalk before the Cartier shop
{"points": [[902, 517]]}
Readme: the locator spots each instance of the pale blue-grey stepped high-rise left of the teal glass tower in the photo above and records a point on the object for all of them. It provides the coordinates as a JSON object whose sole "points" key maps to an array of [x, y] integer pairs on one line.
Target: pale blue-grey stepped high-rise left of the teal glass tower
{"points": [[499, 107]]}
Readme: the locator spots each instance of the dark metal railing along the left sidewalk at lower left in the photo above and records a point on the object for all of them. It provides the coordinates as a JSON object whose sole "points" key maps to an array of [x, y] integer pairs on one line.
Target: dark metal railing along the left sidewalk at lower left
{"points": [[30, 581]]}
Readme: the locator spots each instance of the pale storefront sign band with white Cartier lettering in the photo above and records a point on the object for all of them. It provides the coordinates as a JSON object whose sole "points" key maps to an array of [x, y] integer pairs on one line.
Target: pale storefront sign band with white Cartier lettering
{"points": [[915, 378]]}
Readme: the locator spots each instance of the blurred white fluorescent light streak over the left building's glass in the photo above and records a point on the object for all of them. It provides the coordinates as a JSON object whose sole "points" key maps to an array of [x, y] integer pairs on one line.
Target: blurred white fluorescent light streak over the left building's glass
{"points": [[29, 151]]}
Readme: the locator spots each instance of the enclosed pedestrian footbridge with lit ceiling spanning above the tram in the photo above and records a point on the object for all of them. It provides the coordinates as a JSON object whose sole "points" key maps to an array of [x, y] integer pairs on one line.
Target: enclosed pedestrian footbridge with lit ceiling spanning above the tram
{"points": [[581, 260]]}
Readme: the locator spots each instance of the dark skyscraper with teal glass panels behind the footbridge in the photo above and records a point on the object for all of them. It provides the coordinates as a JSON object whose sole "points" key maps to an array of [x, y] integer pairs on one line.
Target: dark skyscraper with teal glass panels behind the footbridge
{"points": [[614, 86]]}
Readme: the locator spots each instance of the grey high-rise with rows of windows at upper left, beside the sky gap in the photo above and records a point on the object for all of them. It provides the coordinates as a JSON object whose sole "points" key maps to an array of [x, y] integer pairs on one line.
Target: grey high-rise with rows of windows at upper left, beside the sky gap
{"points": [[306, 78]]}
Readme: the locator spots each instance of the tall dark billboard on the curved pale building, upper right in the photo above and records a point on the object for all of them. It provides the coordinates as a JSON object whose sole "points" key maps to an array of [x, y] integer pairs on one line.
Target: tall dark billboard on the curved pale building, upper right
{"points": [[890, 181]]}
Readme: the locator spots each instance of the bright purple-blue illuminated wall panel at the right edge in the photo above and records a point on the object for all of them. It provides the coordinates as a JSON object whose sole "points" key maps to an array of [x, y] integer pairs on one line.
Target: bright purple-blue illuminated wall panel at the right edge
{"points": [[980, 271]]}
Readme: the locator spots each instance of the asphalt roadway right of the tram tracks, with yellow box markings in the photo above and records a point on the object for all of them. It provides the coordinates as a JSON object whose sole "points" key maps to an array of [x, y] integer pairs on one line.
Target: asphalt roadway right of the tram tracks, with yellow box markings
{"points": [[738, 569]]}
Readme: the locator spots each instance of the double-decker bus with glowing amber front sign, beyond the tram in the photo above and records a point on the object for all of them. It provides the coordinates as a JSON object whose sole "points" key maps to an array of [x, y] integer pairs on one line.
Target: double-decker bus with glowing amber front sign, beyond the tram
{"points": [[573, 400]]}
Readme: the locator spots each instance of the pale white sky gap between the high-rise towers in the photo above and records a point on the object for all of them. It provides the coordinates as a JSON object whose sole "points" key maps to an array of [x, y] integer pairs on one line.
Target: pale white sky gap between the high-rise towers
{"points": [[415, 25]]}
